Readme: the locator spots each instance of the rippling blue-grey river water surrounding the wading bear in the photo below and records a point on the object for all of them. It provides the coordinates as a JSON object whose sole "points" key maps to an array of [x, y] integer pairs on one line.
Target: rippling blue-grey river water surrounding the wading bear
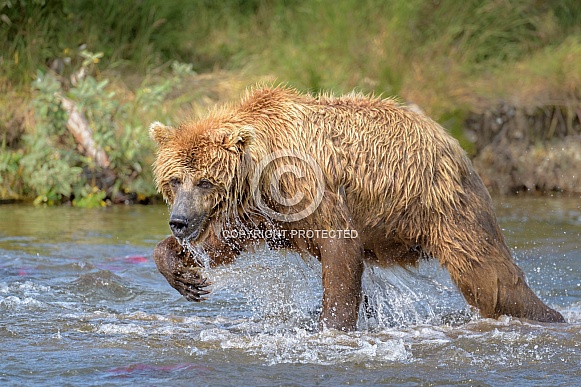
{"points": [[82, 303]]}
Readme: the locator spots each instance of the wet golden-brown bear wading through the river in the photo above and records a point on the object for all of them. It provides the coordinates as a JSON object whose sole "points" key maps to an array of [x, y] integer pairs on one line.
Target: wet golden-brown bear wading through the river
{"points": [[344, 179]]}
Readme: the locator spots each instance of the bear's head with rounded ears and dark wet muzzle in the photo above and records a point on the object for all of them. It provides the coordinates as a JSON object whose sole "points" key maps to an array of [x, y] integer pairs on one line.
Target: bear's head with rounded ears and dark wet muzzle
{"points": [[198, 168]]}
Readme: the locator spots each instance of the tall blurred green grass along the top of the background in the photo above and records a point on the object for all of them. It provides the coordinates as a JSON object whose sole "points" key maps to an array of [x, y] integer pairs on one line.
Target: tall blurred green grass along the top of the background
{"points": [[378, 45]]}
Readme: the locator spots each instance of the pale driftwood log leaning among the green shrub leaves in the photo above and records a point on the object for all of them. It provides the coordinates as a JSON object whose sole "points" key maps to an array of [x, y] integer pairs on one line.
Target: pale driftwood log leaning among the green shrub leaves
{"points": [[78, 125]]}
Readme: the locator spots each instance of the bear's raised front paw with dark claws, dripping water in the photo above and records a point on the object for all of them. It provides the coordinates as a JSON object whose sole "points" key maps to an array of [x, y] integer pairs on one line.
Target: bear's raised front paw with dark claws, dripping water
{"points": [[180, 270]]}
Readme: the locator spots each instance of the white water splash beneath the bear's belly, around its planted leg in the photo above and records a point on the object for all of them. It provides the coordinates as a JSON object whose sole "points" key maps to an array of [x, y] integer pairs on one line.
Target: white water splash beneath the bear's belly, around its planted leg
{"points": [[284, 290]]}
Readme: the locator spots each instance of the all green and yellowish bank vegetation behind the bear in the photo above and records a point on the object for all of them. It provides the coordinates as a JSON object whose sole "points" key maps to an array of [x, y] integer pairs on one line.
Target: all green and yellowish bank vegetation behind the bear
{"points": [[117, 62]]}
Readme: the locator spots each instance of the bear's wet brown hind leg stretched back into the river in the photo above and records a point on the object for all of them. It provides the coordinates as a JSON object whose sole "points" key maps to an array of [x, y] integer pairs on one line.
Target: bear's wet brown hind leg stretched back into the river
{"points": [[471, 246]]}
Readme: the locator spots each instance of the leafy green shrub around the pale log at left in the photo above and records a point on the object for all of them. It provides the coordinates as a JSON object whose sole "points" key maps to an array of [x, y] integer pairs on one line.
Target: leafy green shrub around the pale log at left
{"points": [[53, 168]]}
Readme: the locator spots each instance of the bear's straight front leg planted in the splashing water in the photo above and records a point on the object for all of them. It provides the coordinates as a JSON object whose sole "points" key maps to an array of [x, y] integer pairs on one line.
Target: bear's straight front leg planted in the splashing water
{"points": [[342, 263]]}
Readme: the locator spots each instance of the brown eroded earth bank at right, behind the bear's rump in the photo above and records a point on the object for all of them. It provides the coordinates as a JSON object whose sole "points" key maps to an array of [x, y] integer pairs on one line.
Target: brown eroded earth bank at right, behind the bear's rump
{"points": [[522, 149]]}
